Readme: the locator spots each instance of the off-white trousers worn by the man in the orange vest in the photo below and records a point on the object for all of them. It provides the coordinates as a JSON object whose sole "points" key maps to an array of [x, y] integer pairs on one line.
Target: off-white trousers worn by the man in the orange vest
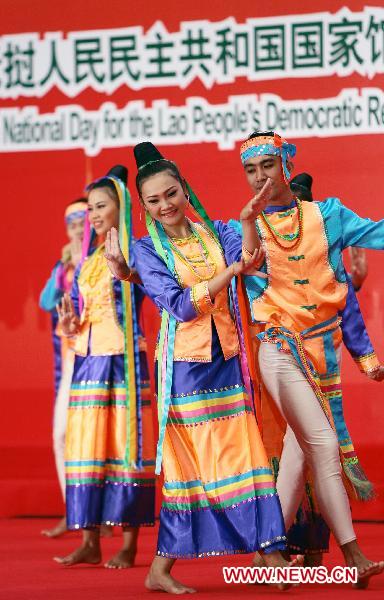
{"points": [[309, 440]]}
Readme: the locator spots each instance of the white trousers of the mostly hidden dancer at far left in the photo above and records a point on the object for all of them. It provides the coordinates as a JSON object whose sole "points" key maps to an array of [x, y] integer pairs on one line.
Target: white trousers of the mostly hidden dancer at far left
{"points": [[60, 417]]}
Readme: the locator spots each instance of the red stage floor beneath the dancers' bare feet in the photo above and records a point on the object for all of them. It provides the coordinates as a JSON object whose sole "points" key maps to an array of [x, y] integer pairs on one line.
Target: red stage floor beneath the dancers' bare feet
{"points": [[29, 573]]}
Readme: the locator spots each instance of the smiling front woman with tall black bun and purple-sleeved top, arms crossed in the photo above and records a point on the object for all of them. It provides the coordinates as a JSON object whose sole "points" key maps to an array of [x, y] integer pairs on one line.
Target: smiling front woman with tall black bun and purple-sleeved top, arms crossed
{"points": [[219, 495]]}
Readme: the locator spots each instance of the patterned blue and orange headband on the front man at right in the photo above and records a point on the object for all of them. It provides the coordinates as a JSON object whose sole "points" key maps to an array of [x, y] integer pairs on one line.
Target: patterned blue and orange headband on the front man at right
{"points": [[269, 143]]}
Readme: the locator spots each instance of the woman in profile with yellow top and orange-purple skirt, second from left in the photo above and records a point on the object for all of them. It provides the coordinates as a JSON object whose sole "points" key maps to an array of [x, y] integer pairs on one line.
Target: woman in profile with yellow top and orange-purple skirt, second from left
{"points": [[109, 443]]}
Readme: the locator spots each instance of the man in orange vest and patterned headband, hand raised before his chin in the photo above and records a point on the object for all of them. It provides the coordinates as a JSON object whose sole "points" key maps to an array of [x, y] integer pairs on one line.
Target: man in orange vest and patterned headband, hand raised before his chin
{"points": [[295, 312]]}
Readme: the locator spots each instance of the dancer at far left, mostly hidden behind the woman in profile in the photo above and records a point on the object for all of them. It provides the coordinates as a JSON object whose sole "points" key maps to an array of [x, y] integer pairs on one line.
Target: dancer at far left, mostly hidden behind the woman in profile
{"points": [[60, 282]]}
